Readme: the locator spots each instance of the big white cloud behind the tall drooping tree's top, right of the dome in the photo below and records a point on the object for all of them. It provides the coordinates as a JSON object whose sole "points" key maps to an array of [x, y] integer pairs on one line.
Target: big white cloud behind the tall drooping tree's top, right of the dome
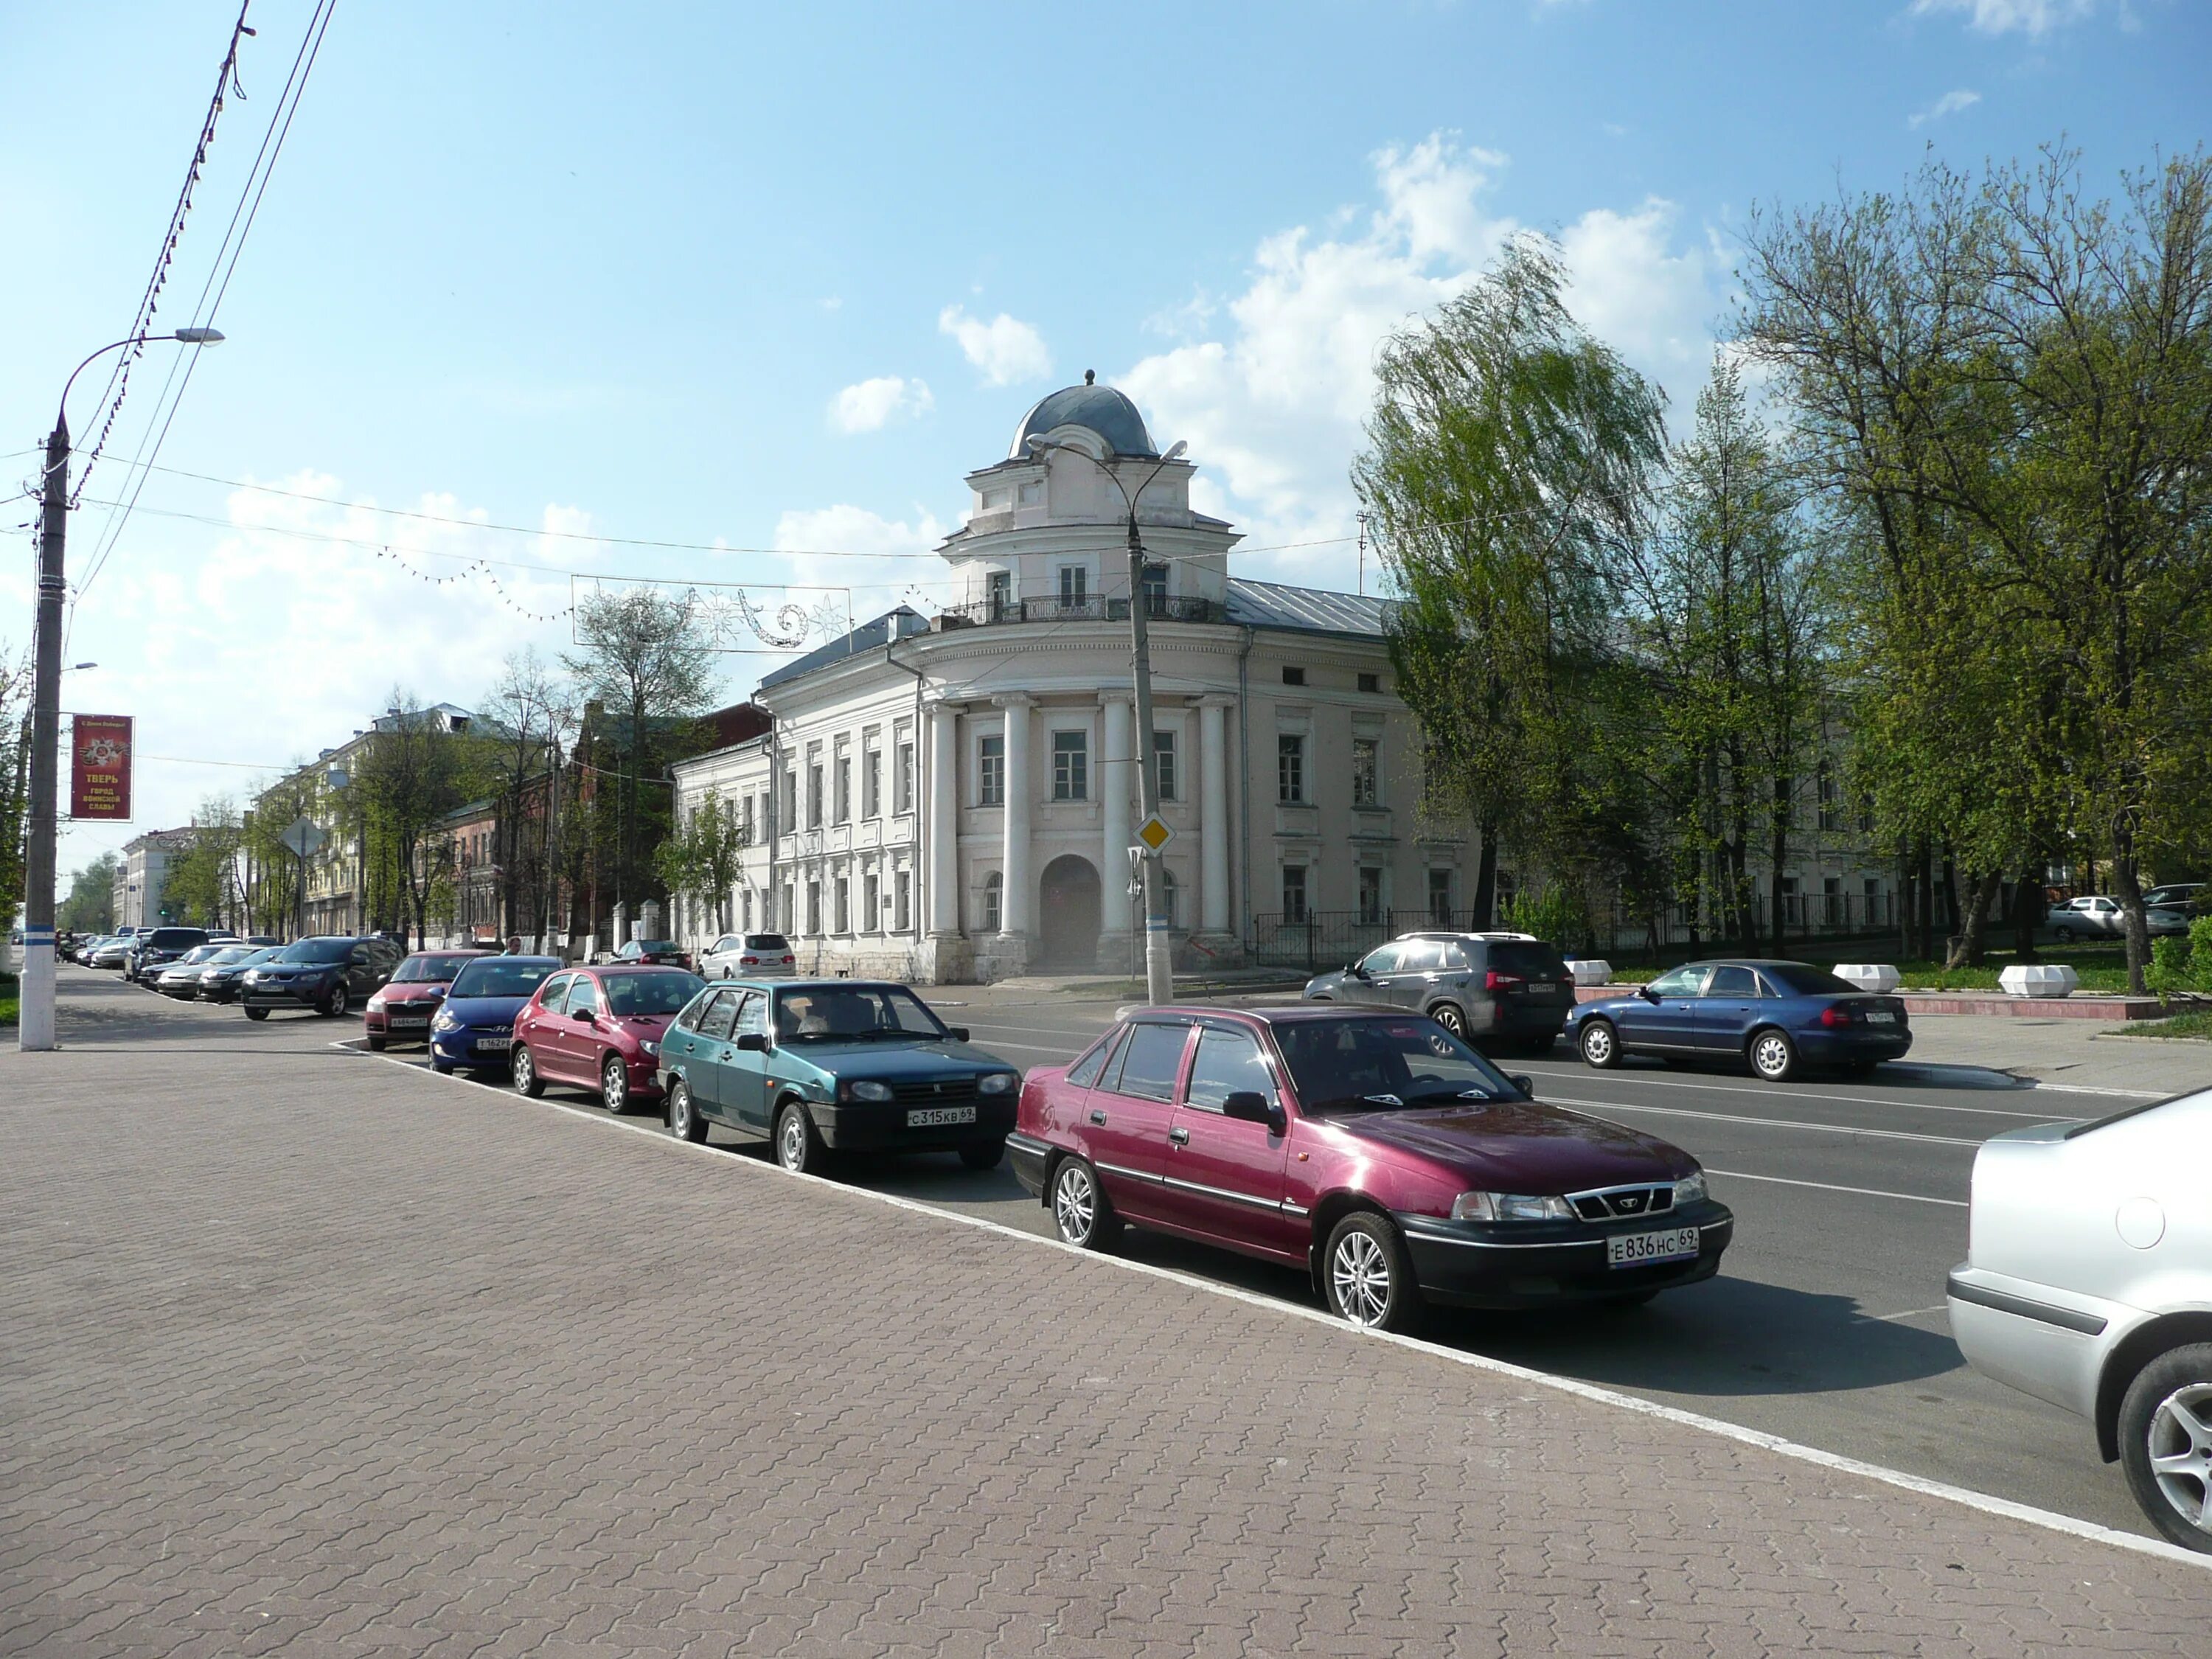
{"points": [[1273, 404]]}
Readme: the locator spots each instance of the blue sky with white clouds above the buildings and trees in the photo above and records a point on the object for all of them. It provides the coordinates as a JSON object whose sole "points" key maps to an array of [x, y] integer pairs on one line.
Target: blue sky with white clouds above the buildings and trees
{"points": [[775, 278]]}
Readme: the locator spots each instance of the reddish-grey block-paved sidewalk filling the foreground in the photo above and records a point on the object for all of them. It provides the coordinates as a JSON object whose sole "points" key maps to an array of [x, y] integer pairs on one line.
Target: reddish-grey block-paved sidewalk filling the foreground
{"points": [[309, 1355]]}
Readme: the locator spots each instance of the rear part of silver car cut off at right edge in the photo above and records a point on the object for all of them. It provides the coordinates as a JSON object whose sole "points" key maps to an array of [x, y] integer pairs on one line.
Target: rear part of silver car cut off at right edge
{"points": [[2089, 1284]]}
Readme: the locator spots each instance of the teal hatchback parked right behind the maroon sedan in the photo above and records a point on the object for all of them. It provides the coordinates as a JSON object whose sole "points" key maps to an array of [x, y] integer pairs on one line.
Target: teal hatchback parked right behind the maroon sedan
{"points": [[835, 1067]]}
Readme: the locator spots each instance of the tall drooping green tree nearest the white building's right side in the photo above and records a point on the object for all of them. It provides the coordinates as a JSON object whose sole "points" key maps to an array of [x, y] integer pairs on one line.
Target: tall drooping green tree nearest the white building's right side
{"points": [[1507, 477]]}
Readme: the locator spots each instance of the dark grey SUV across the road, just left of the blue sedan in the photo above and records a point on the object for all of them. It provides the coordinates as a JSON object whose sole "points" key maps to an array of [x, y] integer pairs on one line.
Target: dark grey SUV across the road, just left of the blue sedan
{"points": [[1501, 992]]}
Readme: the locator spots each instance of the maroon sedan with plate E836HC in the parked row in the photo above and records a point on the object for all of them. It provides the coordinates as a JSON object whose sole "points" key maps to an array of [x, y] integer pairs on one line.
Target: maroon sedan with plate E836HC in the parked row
{"points": [[1373, 1149]]}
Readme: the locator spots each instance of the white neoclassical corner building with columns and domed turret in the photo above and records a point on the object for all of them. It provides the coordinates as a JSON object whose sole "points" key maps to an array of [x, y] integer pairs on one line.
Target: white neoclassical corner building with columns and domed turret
{"points": [[954, 797]]}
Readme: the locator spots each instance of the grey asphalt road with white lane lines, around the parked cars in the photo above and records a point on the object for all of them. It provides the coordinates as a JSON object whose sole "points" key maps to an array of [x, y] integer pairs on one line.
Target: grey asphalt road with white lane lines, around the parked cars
{"points": [[1826, 1324]]}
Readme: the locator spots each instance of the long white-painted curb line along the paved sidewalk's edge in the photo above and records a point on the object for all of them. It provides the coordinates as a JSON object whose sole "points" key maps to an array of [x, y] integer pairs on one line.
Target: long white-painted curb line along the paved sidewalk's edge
{"points": [[1983, 1503]]}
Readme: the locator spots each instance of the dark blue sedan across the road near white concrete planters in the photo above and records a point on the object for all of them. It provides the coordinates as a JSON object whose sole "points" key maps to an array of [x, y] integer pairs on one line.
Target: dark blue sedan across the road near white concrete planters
{"points": [[1775, 1016]]}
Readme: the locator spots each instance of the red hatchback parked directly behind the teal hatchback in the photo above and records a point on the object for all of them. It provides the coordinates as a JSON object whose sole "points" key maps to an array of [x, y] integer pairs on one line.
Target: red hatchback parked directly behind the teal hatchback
{"points": [[601, 1030]]}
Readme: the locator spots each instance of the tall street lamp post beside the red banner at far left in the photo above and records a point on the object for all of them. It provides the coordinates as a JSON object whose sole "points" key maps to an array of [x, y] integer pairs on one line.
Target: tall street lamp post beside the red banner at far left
{"points": [[34, 1025]]}
